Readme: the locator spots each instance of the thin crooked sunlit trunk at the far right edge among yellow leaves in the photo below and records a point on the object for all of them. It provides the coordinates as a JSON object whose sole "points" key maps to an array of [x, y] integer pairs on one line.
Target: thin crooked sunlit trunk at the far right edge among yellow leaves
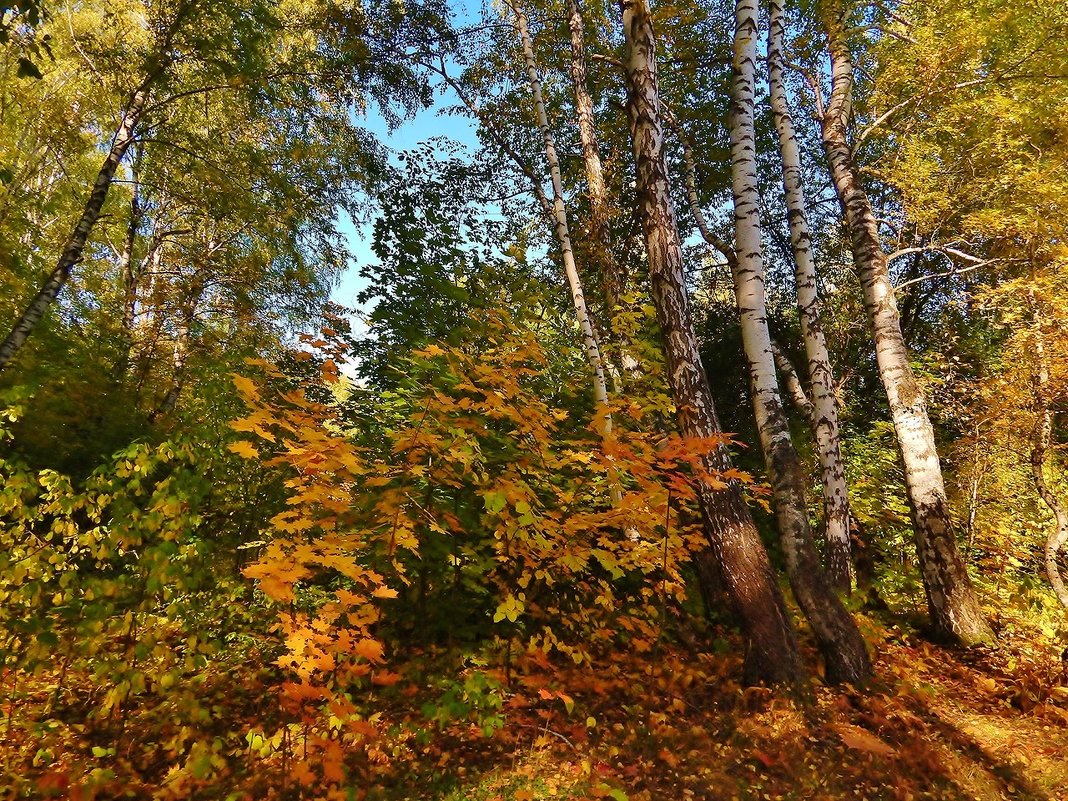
{"points": [[1041, 446]]}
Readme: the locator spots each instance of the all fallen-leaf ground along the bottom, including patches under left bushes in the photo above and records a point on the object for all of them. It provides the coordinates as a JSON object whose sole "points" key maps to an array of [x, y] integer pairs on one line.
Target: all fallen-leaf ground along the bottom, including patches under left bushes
{"points": [[669, 725]]}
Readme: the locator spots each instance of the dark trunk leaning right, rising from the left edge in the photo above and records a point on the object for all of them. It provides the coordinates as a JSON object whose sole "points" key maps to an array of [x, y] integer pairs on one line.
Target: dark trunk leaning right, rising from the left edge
{"points": [[76, 242]]}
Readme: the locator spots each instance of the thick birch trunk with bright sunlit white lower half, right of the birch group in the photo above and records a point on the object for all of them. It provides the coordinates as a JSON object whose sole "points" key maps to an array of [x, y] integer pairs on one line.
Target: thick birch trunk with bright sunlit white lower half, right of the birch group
{"points": [[954, 607]]}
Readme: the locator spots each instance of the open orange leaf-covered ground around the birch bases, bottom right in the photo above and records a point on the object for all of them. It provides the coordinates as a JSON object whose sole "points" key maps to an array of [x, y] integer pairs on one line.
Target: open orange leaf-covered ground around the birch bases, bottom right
{"points": [[674, 727]]}
